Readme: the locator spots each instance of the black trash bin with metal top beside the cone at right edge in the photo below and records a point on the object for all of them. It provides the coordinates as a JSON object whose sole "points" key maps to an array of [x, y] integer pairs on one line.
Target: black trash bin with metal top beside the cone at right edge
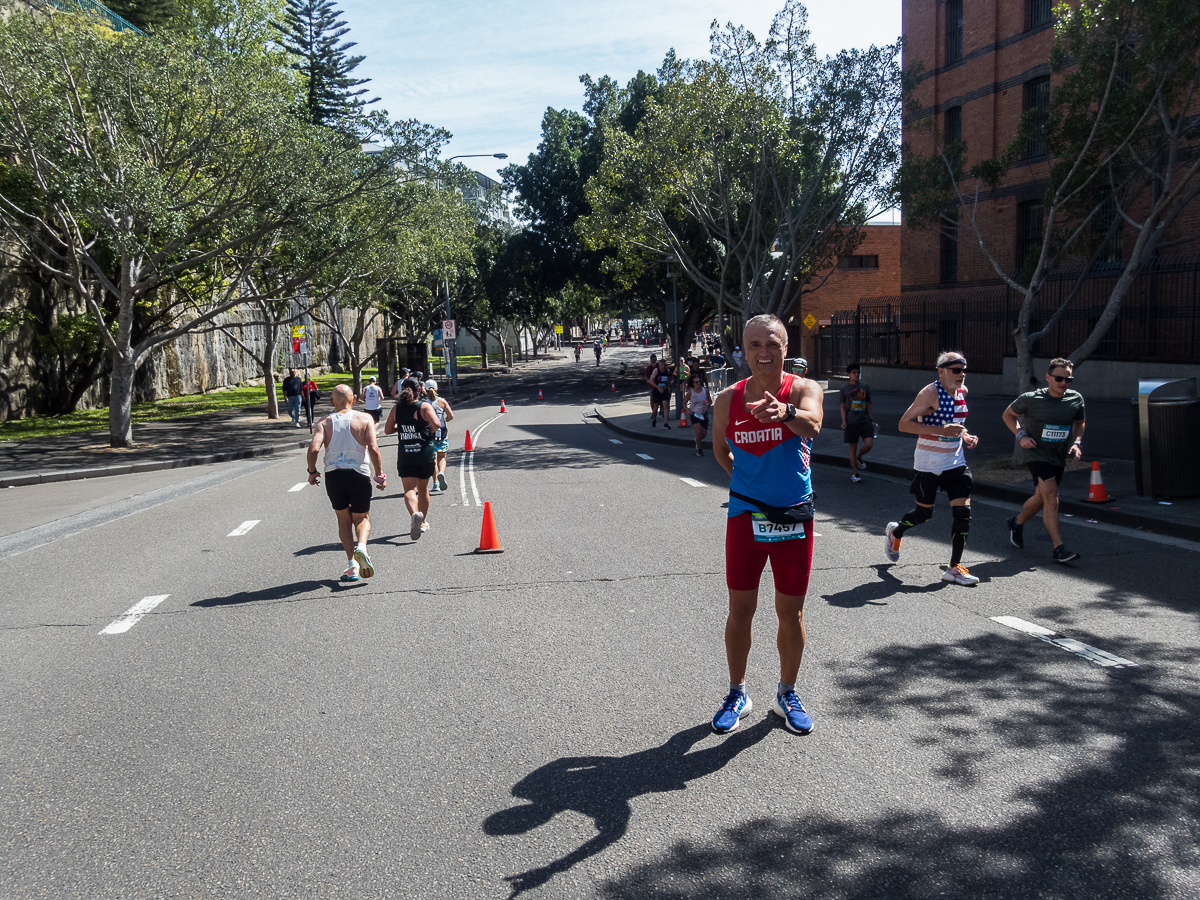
{"points": [[1174, 435]]}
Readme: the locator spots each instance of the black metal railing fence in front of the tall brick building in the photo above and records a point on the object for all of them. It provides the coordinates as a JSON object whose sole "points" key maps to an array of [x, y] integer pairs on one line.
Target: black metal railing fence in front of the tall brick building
{"points": [[1159, 321]]}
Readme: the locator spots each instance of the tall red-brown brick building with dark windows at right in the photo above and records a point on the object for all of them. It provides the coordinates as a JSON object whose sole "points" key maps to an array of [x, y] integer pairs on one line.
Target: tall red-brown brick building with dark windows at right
{"points": [[985, 65]]}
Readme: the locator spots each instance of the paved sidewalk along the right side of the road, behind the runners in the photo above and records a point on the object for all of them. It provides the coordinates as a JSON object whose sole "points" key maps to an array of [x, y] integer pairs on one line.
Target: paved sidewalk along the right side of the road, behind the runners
{"points": [[893, 457]]}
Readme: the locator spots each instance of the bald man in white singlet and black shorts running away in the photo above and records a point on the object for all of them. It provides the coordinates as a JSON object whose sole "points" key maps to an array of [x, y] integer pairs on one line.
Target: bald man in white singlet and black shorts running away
{"points": [[352, 451]]}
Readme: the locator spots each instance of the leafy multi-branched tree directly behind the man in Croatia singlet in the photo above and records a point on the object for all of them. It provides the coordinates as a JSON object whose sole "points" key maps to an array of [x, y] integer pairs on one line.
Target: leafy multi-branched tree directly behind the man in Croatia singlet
{"points": [[773, 157]]}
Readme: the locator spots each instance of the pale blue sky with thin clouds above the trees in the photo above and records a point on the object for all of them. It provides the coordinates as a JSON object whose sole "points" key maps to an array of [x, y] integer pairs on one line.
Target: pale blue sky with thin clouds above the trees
{"points": [[487, 73]]}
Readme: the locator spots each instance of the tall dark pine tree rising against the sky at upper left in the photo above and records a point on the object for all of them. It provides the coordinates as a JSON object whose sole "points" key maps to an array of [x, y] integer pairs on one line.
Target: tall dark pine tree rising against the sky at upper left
{"points": [[311, 32]]}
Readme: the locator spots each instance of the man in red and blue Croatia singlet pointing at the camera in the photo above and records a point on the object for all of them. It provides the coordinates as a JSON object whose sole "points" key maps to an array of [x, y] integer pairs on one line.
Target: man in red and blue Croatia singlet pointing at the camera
{"points": [[764, 429]]}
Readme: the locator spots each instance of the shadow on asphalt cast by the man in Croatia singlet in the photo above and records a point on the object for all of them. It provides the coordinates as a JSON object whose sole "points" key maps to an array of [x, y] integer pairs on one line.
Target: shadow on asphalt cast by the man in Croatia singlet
{"points": [[602, 788]]}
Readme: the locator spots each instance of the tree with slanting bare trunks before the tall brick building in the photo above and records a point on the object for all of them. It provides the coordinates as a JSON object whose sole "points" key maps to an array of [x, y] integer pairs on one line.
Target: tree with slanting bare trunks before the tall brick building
{"points": [[1121, 133]]}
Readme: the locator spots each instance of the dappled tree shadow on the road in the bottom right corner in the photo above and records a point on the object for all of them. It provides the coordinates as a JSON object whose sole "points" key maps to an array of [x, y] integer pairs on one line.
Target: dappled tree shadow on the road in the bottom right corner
{"points": [[1118, 818]]}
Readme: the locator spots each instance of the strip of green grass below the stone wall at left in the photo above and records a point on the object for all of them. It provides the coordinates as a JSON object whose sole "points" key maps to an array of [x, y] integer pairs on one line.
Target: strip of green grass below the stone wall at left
{"points": [[161, 410]]}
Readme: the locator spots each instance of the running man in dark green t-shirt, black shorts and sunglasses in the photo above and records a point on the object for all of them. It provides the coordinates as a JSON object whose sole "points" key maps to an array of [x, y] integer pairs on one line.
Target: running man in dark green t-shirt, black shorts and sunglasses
{"points": [[1053, 434]]}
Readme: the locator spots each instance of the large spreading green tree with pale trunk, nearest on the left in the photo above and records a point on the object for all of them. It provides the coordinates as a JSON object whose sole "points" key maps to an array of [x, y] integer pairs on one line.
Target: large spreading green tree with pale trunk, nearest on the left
{"points": [[153, 173]]}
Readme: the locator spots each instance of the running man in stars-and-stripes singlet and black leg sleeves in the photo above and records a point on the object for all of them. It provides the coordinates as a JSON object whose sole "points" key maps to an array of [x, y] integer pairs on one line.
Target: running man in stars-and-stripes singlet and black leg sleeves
{"points": [[939, 419]]}
